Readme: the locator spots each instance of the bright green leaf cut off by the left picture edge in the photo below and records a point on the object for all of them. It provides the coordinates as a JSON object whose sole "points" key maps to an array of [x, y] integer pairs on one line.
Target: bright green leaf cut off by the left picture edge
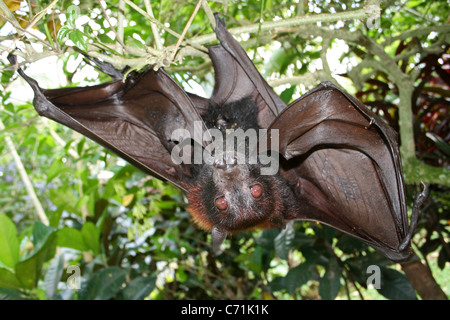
{"points": [[9, 243]]}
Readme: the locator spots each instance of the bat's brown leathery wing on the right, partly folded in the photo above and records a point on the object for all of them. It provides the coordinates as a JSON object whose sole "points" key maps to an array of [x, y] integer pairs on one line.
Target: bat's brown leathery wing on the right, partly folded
{"points": [[344, 163]]}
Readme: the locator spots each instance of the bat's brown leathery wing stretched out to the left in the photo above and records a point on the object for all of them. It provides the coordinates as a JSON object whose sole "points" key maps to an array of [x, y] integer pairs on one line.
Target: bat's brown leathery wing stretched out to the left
{"points": [[134, 119]]}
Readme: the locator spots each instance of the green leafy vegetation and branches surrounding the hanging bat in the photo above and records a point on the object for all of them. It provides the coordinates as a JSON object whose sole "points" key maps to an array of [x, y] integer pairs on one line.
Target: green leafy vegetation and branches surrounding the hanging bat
{"points": [[76, 222]]}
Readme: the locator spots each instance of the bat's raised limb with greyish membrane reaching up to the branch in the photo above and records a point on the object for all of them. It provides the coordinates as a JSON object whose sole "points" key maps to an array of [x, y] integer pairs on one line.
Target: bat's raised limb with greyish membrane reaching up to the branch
{"points": [[237, 77]]}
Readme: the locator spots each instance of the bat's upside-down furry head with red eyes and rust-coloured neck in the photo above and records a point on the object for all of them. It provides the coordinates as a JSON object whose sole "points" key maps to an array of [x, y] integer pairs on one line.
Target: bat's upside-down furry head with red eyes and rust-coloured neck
{"points": [[230, 196]]}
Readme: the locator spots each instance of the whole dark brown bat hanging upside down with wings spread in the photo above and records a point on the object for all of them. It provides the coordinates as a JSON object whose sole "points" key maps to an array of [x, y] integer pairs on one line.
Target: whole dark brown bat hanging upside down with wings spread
{"points": [[243, 157]]}
